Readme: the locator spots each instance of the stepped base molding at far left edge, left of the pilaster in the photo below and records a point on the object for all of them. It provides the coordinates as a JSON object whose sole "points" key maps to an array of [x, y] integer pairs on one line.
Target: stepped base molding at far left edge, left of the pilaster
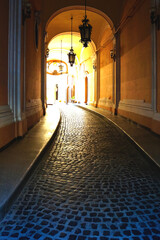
{"points": [[6, 116]]}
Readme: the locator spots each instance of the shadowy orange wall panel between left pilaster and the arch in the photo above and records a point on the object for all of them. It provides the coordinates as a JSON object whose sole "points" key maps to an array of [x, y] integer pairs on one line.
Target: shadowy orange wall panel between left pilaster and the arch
{"points": [[33, 58]]}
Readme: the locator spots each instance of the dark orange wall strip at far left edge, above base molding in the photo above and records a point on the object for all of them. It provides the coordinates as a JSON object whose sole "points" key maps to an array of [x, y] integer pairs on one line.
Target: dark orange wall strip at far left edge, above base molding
{"points": [[4, 52]]}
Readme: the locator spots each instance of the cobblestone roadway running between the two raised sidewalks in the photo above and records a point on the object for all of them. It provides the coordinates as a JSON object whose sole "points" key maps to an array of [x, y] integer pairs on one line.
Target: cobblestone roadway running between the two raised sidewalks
{"points": [[93, 185]]}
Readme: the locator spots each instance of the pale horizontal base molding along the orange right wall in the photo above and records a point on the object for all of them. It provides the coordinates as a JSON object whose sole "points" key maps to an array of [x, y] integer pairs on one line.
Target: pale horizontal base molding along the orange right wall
{"points": [[136, 106]]}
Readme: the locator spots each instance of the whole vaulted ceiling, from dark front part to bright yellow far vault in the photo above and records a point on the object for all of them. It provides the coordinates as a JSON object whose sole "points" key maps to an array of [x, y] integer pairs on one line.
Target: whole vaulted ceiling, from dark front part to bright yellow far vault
{"points": [[104, 16]]}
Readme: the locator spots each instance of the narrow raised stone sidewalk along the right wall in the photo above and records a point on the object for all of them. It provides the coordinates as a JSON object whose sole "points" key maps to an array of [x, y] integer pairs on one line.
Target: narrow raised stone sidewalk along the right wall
{"points": [[143, 138]]}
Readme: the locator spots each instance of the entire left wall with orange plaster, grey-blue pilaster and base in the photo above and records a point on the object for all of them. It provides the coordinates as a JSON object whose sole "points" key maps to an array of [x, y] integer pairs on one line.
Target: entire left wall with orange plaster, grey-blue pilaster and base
{"points": [[20, 100]]}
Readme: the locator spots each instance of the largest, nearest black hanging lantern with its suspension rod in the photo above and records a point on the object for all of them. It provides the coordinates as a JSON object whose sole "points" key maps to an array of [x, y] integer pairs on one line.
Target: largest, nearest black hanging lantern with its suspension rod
{"points": [[85, 30]]}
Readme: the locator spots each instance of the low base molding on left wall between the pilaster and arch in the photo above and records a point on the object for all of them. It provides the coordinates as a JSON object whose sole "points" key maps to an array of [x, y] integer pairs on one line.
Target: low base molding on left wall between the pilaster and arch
{"points": [[33, 106]]}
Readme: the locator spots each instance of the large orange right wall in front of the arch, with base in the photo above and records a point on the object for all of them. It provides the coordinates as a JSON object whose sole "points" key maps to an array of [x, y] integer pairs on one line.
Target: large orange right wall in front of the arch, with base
{"points": [[136, 66]]}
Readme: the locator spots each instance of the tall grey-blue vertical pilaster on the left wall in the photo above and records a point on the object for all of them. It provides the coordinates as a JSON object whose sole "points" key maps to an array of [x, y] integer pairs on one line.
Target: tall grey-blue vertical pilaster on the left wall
{"points": [[14, 58]]}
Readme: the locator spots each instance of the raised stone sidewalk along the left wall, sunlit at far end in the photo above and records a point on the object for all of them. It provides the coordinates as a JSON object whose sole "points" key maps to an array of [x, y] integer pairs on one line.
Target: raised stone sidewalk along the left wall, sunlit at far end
{"points": [[17, 160]]}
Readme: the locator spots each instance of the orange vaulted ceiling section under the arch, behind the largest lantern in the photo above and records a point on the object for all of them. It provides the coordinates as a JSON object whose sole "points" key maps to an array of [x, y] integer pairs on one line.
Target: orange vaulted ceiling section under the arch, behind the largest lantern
{"points": [[61, 24]]}
